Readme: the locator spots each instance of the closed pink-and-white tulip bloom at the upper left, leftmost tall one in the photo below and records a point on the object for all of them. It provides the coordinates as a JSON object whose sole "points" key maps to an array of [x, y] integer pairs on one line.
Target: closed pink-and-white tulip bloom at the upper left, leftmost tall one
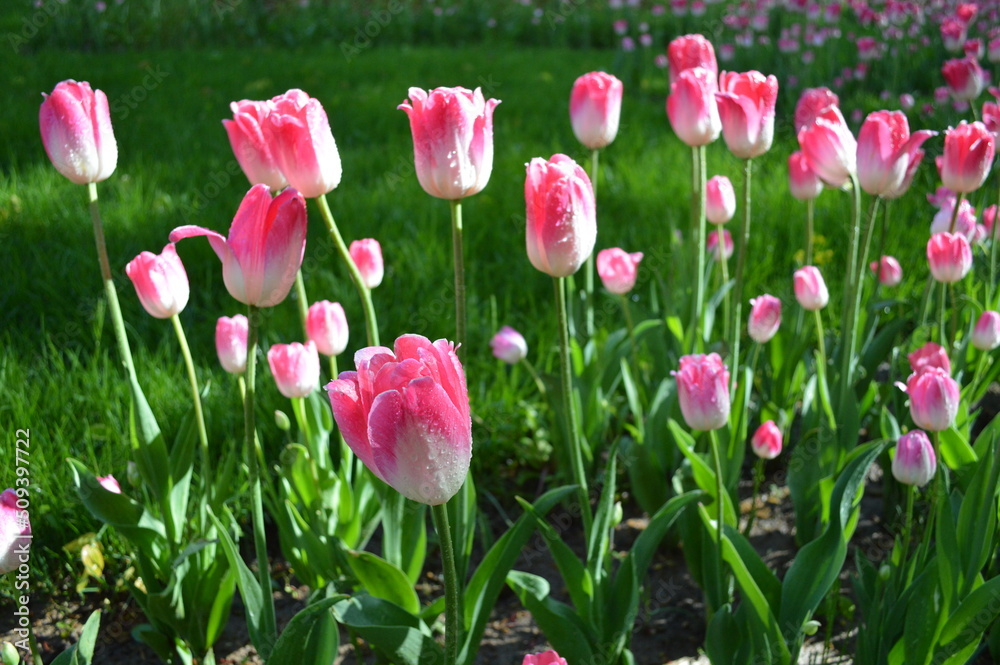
{"points": [[76, 131]]}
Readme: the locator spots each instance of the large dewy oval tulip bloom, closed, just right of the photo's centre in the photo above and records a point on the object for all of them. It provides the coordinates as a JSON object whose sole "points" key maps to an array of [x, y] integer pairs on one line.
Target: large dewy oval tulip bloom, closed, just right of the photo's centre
{"points": [[561, 215]]}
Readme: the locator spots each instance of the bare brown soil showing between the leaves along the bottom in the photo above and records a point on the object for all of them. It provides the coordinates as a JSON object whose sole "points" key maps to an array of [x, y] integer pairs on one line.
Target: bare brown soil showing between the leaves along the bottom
{"points": [[670, 627]]}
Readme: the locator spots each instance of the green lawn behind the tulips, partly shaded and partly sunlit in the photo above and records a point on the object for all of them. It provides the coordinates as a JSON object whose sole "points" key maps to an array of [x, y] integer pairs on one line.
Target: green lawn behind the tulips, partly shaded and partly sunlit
{"points": [[58, 374]]}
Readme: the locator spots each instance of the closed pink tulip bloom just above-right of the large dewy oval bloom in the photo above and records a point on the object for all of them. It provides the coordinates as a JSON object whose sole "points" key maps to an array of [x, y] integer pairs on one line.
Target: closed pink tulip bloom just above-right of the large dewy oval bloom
{"points": [[595, 108]]}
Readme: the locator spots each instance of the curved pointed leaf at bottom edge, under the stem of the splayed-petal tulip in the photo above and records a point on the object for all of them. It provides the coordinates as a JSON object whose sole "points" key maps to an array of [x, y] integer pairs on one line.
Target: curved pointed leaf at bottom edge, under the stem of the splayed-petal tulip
{"points": [[310, 638]]}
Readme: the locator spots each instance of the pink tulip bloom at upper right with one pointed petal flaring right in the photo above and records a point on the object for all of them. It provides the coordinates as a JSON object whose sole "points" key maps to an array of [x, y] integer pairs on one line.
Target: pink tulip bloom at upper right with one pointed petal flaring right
{"points": [[885, 150]]}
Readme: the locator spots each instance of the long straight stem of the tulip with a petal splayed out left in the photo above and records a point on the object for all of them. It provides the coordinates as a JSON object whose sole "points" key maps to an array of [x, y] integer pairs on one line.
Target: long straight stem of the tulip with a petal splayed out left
{"points": [[267, 621]]}
